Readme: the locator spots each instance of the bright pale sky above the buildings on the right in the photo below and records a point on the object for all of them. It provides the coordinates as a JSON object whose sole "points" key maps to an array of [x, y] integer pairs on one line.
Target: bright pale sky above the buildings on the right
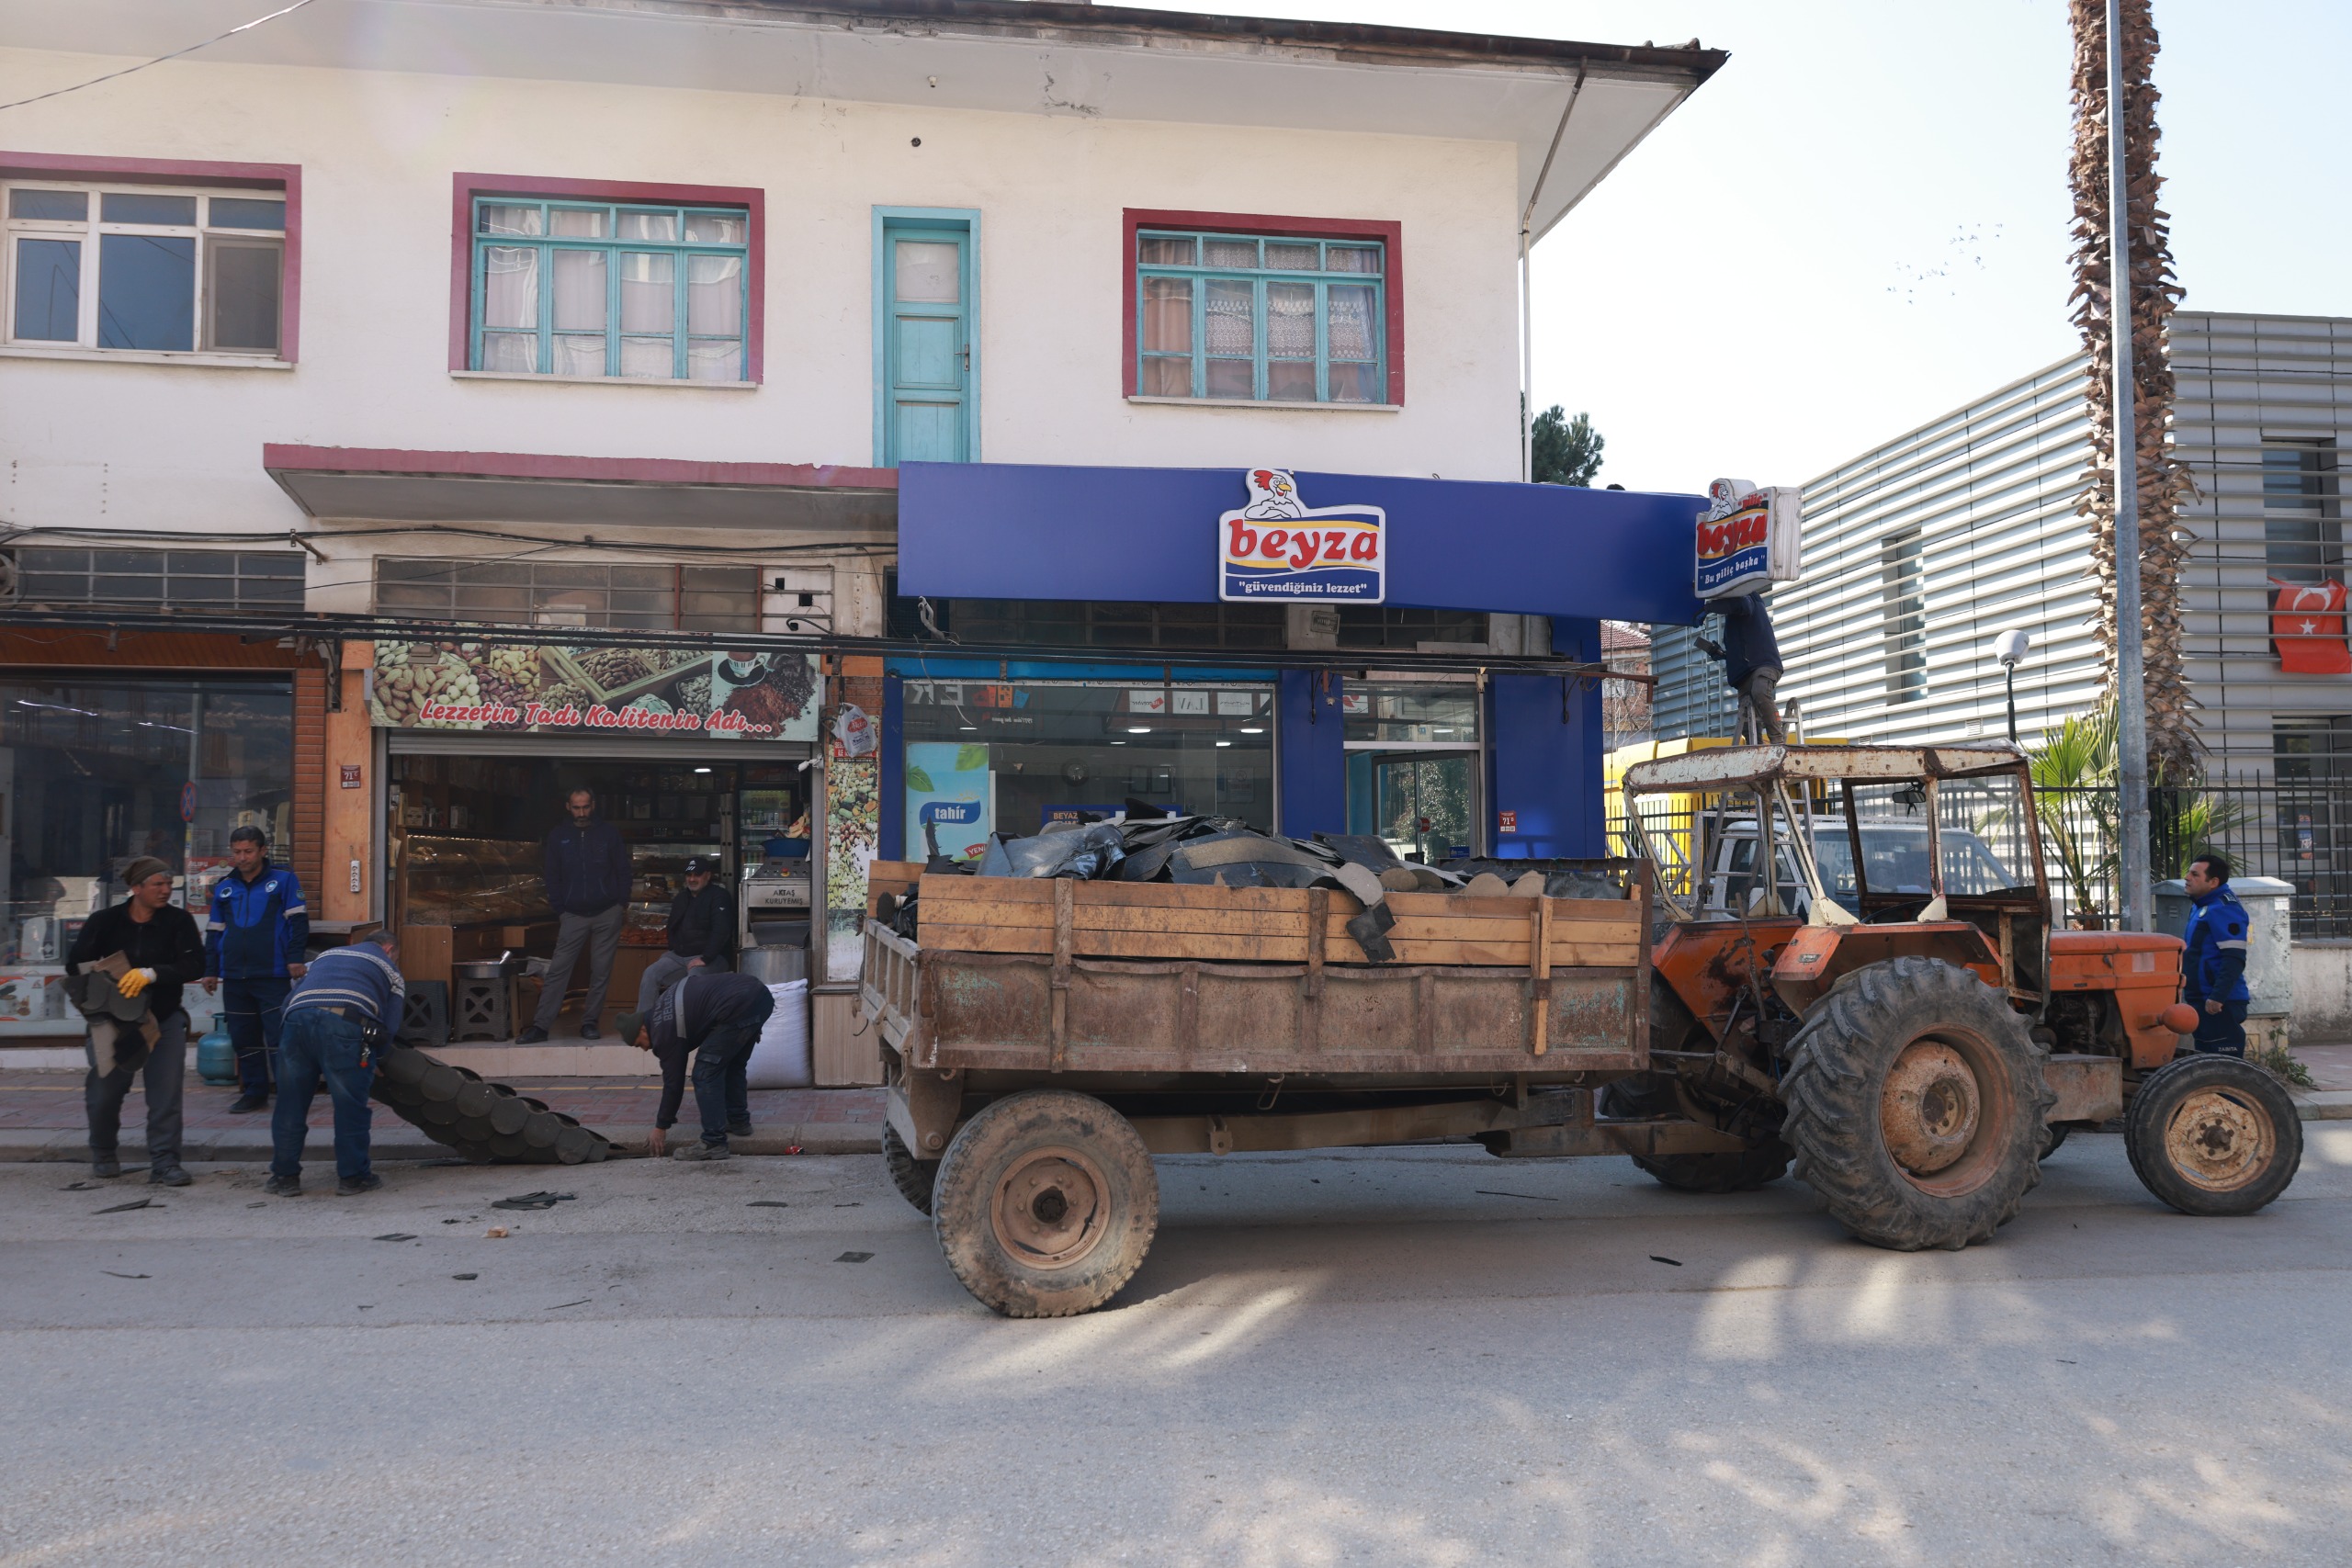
{"points": [[1862, 222]]}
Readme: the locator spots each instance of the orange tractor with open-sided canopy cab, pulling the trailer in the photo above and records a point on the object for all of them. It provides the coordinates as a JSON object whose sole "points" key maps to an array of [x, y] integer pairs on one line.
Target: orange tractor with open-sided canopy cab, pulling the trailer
{"points": [[1850, 977]]}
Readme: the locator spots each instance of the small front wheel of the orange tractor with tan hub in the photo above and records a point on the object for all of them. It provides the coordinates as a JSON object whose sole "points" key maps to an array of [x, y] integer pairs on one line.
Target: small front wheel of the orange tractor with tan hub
{"points": [[2214, 1137]]}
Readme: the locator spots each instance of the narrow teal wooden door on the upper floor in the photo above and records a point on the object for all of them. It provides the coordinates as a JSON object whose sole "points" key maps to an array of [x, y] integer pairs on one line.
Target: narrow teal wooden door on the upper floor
{"points": [[928, 347]]}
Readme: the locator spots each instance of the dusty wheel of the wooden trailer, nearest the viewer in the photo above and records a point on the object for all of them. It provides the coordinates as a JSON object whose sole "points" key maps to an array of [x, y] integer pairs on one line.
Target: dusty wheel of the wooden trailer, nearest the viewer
{"points": [[1045, 1205]]}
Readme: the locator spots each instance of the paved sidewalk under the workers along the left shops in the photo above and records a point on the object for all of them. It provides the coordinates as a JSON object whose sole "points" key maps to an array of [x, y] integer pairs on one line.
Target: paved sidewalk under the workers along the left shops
{"points": [[41, 1118]]}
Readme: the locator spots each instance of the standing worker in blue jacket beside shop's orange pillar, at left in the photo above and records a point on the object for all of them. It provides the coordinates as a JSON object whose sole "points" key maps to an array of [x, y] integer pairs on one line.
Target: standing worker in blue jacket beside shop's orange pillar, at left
{"points": [[255, 939]]}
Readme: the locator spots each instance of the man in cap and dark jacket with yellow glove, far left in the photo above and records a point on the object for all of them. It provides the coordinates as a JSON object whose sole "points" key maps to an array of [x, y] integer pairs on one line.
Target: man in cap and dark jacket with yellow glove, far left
{"points": [[163, 951]]}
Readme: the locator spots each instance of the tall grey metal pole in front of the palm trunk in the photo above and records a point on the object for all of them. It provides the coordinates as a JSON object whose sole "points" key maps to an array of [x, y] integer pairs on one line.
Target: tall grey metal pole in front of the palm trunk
{"points": [[2130, 666]]}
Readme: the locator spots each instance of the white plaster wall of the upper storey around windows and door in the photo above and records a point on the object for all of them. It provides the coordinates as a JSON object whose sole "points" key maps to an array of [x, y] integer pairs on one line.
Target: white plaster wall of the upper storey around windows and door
{"points": [[147, 448]]}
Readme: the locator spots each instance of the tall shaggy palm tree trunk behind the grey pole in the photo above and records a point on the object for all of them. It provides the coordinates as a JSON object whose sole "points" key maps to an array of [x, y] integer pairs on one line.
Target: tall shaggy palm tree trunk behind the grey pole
{"points": [[2163, 547]]}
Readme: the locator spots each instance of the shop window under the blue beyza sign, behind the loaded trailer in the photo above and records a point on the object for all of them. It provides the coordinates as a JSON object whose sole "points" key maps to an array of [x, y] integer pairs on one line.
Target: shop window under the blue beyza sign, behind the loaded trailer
{"points": [[1013, 758]]}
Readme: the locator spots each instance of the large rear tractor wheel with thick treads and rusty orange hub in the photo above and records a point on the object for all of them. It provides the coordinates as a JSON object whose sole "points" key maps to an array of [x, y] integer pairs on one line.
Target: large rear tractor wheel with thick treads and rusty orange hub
{"points": [[1916, 1106]]}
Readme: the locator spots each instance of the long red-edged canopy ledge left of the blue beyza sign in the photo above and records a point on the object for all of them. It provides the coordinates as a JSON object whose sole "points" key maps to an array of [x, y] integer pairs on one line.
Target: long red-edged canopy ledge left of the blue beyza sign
{"points": [[403, 485]]}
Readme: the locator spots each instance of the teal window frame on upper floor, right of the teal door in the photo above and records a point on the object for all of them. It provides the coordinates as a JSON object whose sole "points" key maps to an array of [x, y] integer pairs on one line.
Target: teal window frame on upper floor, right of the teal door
{"points": [[1259, 279]]}
